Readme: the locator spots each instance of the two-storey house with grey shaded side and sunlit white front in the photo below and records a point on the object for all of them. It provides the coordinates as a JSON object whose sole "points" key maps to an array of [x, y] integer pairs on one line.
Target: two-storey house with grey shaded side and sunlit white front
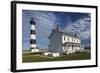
{"points": [[64, 43]]}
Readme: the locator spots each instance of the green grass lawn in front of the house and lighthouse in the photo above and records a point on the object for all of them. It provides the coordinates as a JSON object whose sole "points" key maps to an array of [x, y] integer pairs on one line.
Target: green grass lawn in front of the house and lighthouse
{"points": [[30, 57]]}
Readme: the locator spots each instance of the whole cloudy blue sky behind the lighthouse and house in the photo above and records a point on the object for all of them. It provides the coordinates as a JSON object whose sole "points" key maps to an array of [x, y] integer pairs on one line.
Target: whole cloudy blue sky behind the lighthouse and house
{"points": [[69, 22]]}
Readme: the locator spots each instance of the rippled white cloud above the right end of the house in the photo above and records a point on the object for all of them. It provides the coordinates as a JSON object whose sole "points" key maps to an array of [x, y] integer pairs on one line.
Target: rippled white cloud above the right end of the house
{"points": [[81, 27]]}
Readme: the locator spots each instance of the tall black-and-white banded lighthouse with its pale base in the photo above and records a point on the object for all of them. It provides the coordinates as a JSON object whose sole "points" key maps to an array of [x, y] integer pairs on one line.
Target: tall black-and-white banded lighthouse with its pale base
{"points": [[33, 36]]}
